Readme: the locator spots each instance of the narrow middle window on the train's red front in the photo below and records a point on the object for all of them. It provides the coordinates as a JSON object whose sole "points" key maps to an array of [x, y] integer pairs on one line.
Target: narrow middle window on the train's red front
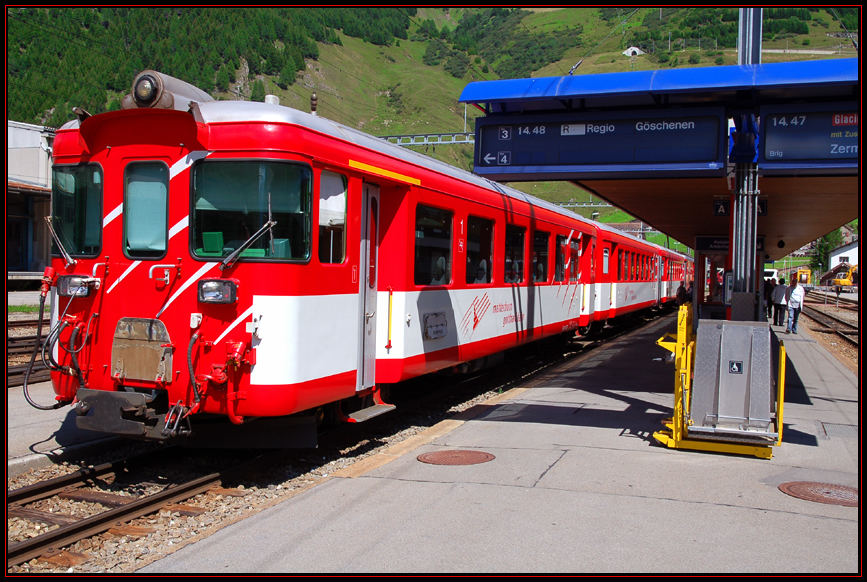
{"points": [[145, 210]]}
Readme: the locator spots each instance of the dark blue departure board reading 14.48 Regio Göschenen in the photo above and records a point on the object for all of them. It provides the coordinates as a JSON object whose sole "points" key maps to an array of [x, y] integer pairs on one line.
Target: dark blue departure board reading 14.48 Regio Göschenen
{"points": [[677, 142]]}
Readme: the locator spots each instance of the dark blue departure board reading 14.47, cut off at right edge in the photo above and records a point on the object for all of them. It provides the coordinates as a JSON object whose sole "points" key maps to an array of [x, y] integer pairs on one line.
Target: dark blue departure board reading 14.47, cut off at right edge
{"points": [[809, 138]]}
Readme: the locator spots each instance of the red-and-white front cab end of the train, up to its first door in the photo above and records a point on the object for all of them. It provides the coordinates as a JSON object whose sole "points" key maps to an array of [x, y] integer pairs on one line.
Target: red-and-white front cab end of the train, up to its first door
{"points": [[180, 316]]}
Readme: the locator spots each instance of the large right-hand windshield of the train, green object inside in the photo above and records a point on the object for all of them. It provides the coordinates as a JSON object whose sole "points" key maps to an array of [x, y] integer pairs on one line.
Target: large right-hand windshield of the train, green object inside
{"points": [[234, 199]]}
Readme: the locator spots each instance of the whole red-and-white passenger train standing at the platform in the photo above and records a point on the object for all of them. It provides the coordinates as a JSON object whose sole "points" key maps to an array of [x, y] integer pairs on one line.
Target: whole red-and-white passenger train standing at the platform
{"points": [[245, 260]]}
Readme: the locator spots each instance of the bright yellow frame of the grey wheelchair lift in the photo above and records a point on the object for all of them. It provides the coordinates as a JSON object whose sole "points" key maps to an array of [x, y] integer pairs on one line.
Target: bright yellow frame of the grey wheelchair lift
{"points": [[676, 435]]}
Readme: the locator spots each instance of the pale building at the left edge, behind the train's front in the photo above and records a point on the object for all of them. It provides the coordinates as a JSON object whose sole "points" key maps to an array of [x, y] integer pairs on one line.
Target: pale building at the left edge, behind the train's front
{"points": [[28, 199]]}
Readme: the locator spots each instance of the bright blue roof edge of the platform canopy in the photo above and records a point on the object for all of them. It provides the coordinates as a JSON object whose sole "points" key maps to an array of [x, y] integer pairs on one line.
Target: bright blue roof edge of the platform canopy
{"points": [[730, 85]]}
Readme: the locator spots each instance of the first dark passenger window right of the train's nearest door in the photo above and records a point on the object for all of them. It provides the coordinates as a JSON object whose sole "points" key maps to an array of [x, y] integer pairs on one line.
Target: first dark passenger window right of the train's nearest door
{"points": [[433, 246]]}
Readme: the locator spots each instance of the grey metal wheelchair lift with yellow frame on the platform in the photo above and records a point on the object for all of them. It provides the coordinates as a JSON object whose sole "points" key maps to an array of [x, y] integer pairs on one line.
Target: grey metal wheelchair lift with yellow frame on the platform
{"points": [[723, 383]]}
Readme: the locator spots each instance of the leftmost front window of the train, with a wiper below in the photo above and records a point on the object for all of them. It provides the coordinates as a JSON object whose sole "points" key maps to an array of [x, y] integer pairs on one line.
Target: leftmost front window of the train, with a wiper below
{"points": [[76, 208]]}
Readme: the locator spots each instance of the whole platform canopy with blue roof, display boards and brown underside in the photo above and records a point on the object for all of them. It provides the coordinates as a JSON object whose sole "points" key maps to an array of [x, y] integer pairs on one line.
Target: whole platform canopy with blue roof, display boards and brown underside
{"points": [[807, 118]]}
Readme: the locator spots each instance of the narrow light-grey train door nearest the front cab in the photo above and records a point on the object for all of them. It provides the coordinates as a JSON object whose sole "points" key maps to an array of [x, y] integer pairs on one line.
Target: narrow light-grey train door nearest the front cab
{"points": [[367, 300]]}
